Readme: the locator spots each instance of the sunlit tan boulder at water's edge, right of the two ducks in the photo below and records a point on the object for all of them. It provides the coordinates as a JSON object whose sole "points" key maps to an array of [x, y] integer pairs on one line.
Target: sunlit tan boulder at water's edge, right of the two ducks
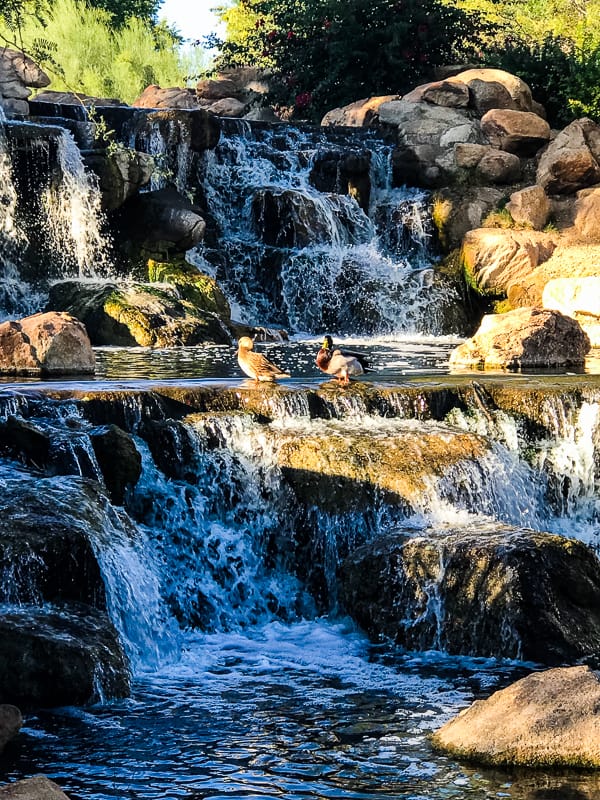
{"points": [[525, 337]]}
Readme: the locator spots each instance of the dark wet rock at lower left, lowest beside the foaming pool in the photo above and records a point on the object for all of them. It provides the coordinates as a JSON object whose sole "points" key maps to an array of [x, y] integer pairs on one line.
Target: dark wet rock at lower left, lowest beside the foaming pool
{"points": [[59, 655]]}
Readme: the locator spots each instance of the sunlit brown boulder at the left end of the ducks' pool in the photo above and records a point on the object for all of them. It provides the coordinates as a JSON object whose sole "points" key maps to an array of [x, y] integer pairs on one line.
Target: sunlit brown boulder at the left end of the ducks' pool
{"points": [[51, 343]]}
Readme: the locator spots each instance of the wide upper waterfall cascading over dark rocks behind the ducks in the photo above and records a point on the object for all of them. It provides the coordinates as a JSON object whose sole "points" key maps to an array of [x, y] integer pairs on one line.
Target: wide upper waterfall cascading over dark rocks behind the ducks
{"points": [[309, 234]]}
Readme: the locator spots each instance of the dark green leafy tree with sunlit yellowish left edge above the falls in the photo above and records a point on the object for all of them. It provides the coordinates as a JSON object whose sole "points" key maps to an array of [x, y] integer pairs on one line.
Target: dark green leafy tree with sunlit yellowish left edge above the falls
{"points": [[326, 53]]}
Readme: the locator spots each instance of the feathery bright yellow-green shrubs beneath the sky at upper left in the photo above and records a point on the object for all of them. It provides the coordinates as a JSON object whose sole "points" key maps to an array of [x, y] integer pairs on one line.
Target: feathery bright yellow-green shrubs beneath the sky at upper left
{"points": [[85, 53]]}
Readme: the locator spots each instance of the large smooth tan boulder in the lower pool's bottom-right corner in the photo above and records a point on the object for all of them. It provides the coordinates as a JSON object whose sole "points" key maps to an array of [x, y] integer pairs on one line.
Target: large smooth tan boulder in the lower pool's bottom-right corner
{"points": [[548, 719]]}
